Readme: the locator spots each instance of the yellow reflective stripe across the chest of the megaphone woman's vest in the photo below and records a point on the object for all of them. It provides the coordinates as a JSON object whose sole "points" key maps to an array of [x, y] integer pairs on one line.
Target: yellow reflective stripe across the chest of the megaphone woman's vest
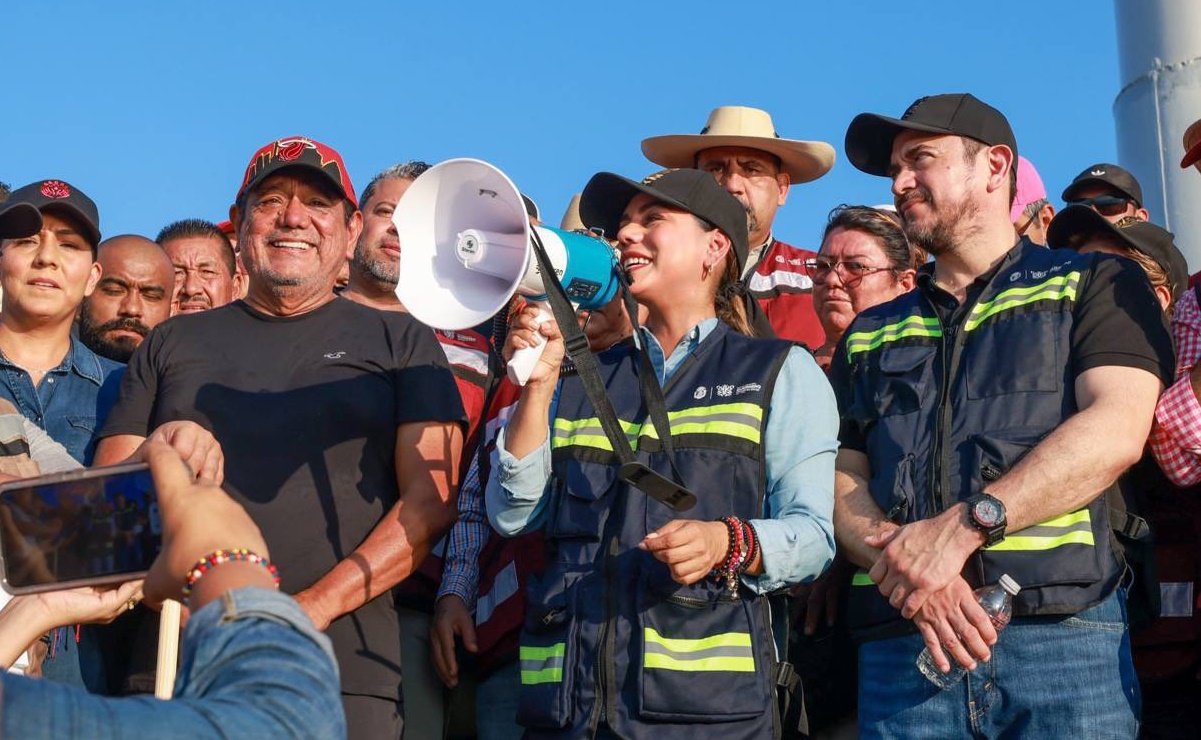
{"points": [[740, 421]]}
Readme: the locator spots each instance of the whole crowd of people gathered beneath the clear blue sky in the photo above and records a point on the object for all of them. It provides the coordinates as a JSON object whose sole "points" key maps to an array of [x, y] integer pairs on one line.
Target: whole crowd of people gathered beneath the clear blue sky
{"points": [[955, 387]]}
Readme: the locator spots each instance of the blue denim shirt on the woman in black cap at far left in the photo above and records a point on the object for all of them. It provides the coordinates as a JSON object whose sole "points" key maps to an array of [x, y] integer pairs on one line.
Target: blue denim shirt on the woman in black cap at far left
{"points": [[73, 401]]}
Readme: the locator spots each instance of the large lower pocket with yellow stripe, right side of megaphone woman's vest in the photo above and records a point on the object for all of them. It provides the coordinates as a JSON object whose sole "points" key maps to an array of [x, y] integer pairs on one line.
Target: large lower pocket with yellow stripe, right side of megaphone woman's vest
{"points": [[701, 663]]}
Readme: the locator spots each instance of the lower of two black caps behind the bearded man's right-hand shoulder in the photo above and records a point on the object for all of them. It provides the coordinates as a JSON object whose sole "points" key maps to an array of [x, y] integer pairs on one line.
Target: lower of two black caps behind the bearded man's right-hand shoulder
{"points": [[1074, 225]]}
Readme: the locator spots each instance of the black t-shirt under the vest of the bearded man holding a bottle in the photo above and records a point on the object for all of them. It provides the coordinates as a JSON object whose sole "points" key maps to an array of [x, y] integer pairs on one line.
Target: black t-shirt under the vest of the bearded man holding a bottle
{"points": [[1118, 321]]}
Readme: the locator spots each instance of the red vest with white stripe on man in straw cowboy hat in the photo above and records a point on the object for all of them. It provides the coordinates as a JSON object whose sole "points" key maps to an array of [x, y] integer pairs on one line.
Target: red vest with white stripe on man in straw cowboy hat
{"points": [[785, 291]]}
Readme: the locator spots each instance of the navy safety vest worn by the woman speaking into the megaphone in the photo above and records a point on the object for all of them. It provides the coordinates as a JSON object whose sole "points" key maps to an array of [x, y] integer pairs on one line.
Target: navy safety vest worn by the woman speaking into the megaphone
{"points": [[608, 634]]}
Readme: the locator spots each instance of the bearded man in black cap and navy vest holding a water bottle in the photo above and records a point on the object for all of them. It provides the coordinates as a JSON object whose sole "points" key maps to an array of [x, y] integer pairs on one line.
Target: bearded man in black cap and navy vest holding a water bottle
{"points": [[984, 416]]}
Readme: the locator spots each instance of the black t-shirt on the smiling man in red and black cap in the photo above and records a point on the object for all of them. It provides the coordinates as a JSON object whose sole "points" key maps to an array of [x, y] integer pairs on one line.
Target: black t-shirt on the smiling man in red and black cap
{"points": [[307, 410]]}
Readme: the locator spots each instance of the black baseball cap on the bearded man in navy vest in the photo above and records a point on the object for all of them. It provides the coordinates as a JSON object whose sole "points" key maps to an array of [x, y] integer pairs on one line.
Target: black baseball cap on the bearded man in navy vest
{"points": [[870, 136]]}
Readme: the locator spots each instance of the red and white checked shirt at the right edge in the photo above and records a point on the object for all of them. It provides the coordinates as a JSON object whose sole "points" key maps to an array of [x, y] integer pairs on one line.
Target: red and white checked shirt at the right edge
{"points": [[1176, 434]]}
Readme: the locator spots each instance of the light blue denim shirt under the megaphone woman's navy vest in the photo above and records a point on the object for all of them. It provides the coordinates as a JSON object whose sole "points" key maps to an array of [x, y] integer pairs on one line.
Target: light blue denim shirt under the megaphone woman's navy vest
{"points": [[800, 441]]}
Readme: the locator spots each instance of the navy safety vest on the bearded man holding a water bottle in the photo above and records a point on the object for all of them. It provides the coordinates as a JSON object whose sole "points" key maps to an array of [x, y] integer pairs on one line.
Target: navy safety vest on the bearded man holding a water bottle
{"points": [[948, 409]]}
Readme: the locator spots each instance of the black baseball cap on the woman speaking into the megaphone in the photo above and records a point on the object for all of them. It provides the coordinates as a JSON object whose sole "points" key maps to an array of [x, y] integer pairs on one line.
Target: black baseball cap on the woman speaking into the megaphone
{"points": [[607, 195]]}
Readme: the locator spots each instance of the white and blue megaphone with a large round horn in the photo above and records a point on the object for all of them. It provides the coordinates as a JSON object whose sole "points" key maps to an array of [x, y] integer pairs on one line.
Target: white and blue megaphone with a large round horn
{"points": [[467, 248]]}
